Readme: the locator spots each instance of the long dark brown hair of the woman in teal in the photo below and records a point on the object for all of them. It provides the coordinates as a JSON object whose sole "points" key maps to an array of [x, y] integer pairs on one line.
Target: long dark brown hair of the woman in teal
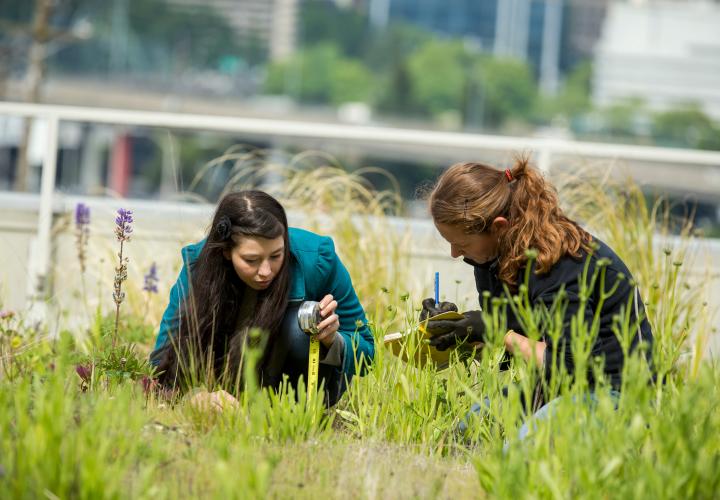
{"points": [[211, 336]]}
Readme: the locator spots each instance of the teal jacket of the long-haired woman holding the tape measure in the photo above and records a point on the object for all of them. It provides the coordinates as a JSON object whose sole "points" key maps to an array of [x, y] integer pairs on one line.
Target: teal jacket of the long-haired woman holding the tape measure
{"points": [[315, 271]]}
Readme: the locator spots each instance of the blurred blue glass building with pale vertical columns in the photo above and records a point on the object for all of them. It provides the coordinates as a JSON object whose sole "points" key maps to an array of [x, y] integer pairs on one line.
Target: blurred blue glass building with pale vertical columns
{"points": [[551, 35]]}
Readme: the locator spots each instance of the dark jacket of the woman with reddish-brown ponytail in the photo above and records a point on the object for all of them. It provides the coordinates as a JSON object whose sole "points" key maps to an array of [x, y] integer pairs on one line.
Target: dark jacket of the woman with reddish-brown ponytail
{"points": [[567, 275]]}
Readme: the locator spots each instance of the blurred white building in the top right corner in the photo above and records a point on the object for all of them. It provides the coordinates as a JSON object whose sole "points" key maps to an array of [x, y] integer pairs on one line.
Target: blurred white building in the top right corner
{"points": [[665, 53]]}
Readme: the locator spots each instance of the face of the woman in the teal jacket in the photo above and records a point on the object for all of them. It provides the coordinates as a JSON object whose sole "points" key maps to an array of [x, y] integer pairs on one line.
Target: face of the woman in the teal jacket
{"points": [[257, 261]]}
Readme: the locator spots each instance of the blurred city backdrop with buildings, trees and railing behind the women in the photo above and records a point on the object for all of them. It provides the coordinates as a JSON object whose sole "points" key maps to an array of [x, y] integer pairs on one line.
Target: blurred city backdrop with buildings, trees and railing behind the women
{"points": [[133, 98]]}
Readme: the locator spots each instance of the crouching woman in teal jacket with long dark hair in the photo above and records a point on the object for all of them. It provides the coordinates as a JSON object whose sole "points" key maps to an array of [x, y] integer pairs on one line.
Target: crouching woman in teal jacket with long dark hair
{"points": [[251, 273]]}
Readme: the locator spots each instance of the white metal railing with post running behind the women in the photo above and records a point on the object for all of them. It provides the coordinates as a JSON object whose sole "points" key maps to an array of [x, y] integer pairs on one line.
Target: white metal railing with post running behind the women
{"points": [[545, 150]]}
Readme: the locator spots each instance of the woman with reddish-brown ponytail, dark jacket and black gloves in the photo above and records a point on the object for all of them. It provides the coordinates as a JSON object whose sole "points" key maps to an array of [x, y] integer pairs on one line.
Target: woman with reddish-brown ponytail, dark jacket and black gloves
{"points": [[492, 219]]}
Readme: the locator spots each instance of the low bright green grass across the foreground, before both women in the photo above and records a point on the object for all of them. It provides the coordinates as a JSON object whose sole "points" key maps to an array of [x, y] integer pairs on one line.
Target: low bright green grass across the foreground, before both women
{"points": [[392, 435]]}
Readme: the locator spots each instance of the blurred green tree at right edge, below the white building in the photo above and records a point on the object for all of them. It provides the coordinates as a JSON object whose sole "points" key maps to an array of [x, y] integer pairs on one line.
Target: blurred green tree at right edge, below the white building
{"points": [[686, 126]]}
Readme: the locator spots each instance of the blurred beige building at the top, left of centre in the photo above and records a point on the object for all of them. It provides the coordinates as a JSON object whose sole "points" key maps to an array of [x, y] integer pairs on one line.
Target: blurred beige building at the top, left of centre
{"points": [[270, 23]]}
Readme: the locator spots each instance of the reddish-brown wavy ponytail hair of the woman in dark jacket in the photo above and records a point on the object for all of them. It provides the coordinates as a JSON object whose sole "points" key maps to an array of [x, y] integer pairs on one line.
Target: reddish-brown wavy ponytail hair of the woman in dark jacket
{"points": [[472, 195]]}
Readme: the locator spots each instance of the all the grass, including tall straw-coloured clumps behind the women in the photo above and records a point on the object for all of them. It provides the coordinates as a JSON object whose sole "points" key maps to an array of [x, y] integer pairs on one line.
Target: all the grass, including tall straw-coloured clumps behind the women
{"points": [[394, 433]]}
